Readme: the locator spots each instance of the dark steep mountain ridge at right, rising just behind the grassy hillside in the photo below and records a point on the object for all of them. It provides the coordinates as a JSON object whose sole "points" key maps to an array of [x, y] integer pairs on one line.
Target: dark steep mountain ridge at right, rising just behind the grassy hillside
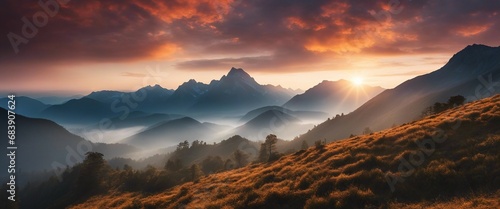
{"points": [[473, 73]]}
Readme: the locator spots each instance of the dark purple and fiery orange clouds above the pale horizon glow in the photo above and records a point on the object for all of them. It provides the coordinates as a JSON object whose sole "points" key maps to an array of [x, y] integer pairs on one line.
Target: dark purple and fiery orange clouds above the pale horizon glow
{"points": [[262, 35]]}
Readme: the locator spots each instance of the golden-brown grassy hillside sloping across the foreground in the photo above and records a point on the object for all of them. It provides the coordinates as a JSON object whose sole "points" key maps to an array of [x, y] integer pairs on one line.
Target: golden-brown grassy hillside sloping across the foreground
{"points": [[441, 161]]}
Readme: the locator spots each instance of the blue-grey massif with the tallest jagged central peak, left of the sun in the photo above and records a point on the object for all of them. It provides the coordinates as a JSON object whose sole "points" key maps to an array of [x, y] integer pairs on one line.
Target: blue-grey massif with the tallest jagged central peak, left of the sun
{"points": [[235, 92]]}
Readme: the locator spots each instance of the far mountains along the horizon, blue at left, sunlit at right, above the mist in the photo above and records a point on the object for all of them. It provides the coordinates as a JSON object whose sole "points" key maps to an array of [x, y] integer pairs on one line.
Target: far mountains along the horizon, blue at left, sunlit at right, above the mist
{"points": [[234, 94]]}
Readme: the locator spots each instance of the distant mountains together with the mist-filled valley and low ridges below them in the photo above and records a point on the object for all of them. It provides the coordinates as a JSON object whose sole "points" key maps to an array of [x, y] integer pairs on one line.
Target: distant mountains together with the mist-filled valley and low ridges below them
{"points": [[142, 113]]}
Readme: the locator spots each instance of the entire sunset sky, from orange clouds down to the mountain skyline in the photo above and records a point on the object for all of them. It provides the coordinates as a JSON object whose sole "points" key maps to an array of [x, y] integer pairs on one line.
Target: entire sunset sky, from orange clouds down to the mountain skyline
{"points": [[76, 47]]}
